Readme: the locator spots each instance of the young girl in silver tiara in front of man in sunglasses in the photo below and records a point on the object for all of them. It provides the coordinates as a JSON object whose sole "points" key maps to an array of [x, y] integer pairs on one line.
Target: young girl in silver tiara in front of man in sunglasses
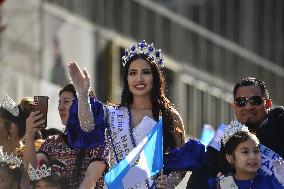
{"points": [[240, 161]]}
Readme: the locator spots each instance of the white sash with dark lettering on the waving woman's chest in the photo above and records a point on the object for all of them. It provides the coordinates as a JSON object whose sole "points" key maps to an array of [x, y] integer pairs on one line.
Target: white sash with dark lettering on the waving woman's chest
{"points": [[120, 131]]}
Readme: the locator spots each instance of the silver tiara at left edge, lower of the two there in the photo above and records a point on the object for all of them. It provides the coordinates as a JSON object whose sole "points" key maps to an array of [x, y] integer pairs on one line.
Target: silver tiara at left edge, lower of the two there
{"points": [[10, 160]]}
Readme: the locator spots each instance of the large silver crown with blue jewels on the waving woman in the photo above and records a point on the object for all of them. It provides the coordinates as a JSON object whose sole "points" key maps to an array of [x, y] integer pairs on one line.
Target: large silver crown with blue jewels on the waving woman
{"points": [[146, 49]]}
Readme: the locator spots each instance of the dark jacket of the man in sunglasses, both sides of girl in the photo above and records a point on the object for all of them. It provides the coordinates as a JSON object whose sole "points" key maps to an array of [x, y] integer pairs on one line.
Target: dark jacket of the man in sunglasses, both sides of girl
{"points": [[270, 134]]}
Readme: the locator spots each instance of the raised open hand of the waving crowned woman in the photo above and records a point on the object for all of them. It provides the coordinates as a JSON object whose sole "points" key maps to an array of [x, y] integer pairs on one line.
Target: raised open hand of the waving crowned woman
{"points": [[80, 78]]}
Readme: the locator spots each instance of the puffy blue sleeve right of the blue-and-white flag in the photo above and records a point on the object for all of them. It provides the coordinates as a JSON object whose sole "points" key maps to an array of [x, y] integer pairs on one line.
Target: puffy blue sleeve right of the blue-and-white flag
{"points": [[186, 158]]}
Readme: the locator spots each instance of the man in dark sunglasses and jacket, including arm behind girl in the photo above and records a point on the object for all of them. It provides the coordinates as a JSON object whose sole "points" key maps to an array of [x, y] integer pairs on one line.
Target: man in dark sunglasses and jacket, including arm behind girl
{"points": [[252, 107]]}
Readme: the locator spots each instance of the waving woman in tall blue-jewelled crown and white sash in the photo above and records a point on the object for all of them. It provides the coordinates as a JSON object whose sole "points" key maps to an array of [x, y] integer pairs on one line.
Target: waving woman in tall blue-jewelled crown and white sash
{"points": [[142, 96]]}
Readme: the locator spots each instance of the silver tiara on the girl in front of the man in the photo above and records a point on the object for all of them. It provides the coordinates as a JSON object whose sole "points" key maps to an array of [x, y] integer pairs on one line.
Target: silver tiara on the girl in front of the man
{"points": [[231, 129]]}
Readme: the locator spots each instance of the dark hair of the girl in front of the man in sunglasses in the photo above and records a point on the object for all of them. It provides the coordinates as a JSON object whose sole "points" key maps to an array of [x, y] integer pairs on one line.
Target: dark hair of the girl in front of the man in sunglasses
{"points": [[230, 147]]}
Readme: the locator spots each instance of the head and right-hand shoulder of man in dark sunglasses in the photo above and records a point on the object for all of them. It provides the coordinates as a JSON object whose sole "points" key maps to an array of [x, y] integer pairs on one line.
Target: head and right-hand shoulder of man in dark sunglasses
{"points": [[253, 107]]}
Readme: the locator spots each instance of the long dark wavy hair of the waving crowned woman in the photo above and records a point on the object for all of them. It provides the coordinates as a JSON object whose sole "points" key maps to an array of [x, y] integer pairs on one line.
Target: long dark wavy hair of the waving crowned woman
{"points": [[160, 103]]}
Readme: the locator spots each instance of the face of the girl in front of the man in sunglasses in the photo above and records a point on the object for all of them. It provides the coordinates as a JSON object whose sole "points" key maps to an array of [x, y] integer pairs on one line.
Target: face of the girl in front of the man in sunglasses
{"points": [[246, 159]]}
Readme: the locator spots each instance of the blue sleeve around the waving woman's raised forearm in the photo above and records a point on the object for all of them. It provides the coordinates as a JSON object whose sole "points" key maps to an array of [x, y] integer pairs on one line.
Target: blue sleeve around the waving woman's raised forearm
{"points": [[78, 138]]}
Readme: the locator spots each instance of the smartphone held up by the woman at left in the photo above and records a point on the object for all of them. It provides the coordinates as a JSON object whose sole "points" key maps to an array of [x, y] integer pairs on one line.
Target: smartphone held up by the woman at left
{"points": [[41, 104]]}
